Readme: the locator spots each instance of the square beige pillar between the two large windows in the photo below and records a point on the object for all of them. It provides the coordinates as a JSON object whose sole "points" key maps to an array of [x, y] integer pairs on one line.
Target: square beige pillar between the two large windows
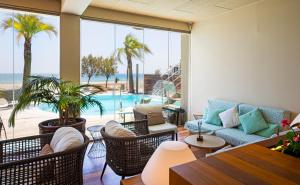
{"points": [[70, 47]]}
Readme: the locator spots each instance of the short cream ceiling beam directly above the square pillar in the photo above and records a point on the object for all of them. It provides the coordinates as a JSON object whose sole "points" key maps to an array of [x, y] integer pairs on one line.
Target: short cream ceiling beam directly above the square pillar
{"points": [[76, 7]]}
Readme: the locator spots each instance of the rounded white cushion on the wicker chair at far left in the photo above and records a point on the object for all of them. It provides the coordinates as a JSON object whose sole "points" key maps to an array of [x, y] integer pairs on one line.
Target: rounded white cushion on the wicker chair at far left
{"points": [[66, 138]]}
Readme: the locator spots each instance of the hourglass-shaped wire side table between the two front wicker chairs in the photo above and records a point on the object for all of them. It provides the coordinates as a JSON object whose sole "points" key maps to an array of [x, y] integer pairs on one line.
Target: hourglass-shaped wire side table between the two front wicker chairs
{"points": [[98, 149]]}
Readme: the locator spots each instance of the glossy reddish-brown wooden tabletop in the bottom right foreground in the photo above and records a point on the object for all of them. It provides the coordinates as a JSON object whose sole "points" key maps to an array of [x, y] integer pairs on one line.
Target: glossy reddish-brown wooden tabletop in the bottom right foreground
{"points": [[251, 164]]}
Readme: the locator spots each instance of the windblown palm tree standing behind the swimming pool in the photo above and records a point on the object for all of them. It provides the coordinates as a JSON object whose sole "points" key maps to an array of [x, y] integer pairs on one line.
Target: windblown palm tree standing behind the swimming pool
{"points": [[132, 49]]}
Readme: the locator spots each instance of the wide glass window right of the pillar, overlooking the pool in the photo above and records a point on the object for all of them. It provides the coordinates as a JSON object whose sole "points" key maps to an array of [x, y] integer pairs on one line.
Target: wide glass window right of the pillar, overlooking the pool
{"points": [[144, 62]]}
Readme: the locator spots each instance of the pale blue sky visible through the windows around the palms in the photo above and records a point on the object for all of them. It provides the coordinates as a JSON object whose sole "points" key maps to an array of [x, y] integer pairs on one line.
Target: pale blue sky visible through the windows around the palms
{"points": [[97, 38]]}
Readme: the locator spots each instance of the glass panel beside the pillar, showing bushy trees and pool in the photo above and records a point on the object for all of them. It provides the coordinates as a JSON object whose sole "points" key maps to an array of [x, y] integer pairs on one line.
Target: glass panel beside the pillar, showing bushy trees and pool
{"points": [[98, 67]]}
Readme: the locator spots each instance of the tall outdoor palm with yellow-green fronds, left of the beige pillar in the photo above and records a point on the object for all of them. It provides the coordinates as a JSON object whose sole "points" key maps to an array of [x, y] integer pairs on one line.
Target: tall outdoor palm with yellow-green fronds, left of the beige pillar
{"points": [[27, 26]]}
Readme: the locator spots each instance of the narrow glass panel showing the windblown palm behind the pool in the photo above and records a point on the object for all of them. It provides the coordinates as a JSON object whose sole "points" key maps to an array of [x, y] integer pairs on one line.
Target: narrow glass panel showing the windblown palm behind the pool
{"points": [[130, 57]]}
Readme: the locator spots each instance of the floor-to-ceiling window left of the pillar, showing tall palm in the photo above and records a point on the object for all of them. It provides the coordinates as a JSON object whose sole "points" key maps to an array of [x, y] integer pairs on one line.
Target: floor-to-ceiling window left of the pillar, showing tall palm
{"points": [[38, 55]]}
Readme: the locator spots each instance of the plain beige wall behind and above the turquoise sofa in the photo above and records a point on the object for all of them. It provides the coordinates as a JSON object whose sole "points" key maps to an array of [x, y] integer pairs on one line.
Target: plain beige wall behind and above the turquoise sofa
{"points": [[251, 55]]}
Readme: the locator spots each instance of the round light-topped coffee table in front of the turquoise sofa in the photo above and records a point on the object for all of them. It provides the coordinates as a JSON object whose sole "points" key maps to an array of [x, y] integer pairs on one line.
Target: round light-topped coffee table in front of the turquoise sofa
{"points": [[209, 142]]}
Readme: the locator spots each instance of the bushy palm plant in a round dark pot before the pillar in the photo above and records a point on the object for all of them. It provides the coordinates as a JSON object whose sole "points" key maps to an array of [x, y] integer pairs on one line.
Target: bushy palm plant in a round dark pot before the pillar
{"points": [[64, 97]]}
